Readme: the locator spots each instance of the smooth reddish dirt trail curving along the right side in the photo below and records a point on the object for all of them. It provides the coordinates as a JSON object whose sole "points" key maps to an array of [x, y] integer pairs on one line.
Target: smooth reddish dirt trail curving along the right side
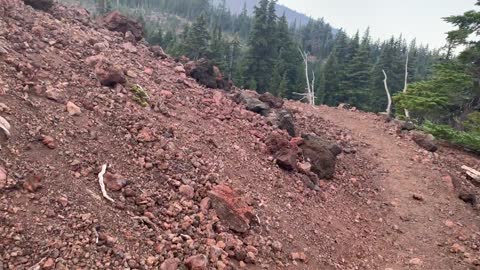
{"points": [[439, 232]]}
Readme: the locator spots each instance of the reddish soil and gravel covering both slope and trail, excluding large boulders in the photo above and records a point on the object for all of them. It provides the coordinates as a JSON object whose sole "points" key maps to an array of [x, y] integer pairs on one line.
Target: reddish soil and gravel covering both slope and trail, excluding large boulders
{"points": [[390, 204]]}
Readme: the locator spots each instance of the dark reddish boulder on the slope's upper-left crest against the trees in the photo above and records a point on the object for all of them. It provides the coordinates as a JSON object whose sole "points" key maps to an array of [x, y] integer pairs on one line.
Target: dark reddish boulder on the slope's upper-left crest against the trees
{"points": [[115, 21]]}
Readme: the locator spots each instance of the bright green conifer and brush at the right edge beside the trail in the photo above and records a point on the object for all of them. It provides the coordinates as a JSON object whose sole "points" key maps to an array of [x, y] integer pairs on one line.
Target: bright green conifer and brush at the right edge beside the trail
{"points": [[448, 104]]}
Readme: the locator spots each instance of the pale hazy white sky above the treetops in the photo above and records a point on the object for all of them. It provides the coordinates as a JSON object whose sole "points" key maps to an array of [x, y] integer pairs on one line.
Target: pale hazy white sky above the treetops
{"points": [[419, 19]]}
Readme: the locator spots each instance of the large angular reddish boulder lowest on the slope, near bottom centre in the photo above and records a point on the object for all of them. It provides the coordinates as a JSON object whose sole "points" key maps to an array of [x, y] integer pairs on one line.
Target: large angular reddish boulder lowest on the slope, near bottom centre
{"points": [[232, 210]]}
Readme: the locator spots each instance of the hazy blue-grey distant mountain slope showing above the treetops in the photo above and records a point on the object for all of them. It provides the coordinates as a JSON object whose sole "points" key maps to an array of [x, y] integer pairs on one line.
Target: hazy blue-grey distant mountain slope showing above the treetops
{"points": [[236, 6]]}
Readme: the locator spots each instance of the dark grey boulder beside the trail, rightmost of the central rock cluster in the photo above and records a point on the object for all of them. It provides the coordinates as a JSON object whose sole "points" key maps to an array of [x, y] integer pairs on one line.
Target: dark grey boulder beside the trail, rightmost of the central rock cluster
{"points": [[321, 154]]}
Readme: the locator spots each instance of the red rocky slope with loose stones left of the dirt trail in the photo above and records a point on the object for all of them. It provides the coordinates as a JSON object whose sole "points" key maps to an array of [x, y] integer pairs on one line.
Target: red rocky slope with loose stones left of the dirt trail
{"points": [[192, 180]]}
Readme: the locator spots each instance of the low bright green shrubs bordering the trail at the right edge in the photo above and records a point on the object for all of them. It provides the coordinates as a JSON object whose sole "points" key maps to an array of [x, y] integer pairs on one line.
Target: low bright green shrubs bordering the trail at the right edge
{"points": [[469, 140]]}
